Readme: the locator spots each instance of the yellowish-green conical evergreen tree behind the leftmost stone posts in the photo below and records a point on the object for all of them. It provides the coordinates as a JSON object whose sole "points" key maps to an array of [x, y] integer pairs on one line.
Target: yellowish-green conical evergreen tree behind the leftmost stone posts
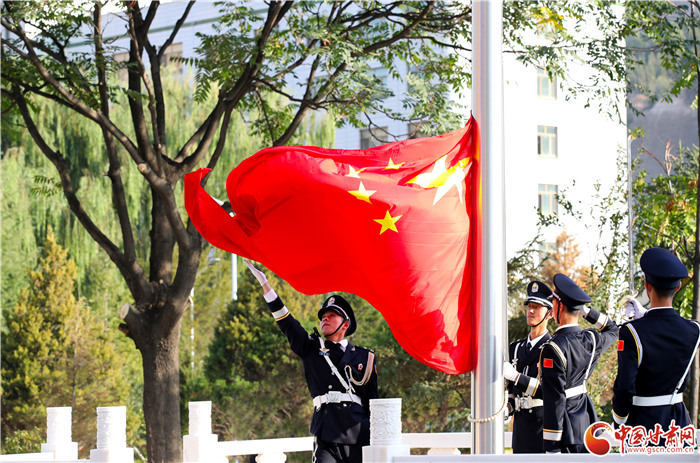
{"points": [[57, 352]]}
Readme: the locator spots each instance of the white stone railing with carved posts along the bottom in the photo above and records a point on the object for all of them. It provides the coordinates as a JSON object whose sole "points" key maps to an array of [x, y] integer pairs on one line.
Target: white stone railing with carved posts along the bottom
{"points": [[387, 443]]}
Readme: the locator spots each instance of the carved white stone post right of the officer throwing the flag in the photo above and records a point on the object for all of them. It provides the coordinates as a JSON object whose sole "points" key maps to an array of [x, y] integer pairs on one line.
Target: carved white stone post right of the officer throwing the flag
{"points": [[385, 440]]}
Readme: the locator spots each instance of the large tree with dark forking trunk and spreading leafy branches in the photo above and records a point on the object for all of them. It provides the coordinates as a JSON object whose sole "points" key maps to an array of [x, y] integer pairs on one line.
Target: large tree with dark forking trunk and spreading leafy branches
{"points": [[252, 61]]}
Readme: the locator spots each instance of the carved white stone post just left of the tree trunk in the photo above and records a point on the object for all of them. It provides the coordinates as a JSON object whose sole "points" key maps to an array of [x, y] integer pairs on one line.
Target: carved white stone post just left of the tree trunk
{"points": [[111, 436]]}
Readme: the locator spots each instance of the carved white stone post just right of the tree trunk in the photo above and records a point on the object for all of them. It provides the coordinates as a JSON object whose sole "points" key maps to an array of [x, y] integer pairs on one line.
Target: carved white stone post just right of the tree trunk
{"points": [[200, 444]]}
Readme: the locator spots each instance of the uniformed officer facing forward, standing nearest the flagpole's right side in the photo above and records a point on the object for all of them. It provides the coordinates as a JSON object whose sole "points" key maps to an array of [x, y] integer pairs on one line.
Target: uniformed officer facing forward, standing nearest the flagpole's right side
{"points": [[524, 394]]}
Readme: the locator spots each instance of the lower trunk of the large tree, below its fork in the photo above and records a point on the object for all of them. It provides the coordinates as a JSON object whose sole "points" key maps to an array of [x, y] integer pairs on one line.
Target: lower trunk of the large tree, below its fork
{"points": [[161, 391]]}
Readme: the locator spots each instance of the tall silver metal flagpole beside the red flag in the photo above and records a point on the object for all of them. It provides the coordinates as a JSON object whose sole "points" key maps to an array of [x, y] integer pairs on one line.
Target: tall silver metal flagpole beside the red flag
{"points": [[487, 106]]}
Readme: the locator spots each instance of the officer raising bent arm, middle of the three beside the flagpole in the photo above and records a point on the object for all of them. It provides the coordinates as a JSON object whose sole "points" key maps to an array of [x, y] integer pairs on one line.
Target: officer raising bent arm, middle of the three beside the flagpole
{"points": [[566, 362]]}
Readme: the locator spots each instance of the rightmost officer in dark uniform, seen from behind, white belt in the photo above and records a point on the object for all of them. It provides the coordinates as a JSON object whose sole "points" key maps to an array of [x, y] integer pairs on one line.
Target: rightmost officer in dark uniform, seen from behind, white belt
{"points": [[655, 352]]}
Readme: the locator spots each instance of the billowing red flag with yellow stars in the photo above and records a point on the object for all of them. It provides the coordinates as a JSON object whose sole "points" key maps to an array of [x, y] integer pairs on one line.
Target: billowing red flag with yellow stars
{"points": [[398, 225]]}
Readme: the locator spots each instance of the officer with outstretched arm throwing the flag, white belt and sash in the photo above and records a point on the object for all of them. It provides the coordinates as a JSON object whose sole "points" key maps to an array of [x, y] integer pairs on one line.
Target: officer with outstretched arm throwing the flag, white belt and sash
{"points": [[341, 377]]}
